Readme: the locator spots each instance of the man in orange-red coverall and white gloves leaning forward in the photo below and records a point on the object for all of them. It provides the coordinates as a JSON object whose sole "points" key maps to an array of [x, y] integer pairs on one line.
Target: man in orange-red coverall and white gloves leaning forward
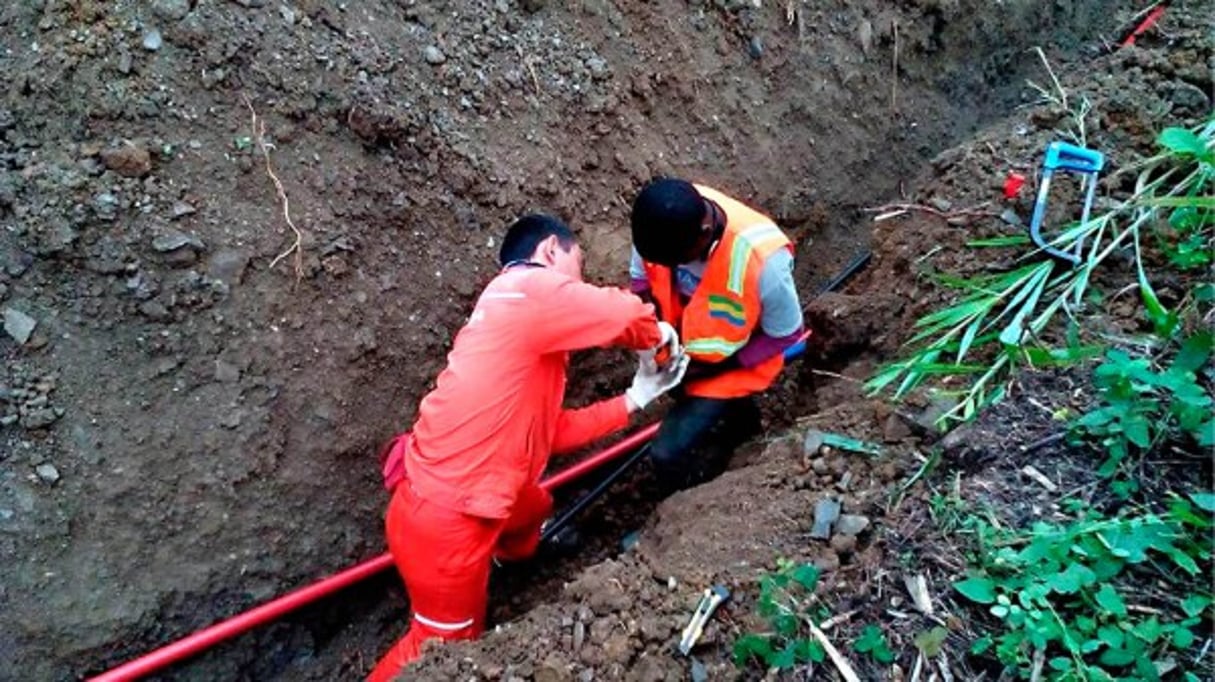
{"points": [[483, 437]]}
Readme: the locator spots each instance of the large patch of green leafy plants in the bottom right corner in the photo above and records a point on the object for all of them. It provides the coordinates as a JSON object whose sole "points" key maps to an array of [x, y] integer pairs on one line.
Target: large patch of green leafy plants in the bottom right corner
{"points": [[1060, 594]]}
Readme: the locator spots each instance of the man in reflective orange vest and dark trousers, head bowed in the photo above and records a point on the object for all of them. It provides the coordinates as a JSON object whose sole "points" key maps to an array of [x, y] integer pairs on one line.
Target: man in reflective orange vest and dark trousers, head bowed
{"points": [[722, 274]]}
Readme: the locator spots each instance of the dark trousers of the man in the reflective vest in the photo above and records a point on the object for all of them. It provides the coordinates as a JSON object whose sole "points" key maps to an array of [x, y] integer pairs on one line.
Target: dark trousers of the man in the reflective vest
{"points": [[698, 437]]}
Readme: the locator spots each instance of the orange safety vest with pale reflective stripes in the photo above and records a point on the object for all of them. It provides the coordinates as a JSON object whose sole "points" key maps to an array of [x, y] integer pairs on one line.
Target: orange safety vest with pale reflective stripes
{"points": [[725, 309]]}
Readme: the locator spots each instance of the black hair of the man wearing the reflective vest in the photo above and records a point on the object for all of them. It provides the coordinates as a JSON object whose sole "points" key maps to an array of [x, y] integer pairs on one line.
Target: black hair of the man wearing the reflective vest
{"points": [[668, 217]]}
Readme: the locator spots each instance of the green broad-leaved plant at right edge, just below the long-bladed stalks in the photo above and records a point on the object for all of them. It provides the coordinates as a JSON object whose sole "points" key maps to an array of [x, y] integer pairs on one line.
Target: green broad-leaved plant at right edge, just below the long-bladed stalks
{"points": [[1139, 405]]}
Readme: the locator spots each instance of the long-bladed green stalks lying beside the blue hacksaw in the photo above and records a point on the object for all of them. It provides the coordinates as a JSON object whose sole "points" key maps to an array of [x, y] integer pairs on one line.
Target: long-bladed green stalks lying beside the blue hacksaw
{"points": [[1001, 322]]}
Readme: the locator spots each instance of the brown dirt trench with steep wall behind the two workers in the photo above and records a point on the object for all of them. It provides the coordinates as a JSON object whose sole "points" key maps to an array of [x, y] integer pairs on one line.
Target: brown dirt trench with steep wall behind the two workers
{"points": [[190, 432]]}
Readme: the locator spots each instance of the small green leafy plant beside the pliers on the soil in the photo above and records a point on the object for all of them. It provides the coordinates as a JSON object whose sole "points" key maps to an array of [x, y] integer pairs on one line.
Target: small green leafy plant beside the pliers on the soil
{"points": [[787, 606]]}
